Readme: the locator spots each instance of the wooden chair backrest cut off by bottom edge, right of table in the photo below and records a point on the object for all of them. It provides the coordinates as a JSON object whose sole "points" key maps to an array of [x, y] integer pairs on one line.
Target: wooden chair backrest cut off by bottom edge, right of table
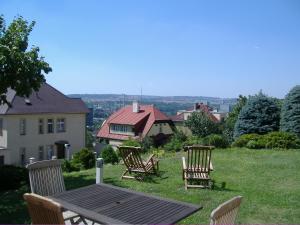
{"points": [[226, 212]]}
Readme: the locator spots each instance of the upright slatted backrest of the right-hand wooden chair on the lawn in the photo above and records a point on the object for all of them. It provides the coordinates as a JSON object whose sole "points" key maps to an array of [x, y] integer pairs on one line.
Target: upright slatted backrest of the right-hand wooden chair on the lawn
{"points": [[199, 158]]}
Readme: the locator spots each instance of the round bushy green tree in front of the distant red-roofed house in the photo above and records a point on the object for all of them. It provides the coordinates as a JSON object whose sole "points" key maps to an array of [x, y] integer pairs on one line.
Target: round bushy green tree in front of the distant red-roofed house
{"points": [[200, 124]]}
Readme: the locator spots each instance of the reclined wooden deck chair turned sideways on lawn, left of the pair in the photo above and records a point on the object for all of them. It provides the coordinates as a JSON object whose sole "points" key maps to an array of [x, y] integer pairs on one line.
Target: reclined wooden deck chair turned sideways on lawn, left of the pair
{"points": [[132, 159]]}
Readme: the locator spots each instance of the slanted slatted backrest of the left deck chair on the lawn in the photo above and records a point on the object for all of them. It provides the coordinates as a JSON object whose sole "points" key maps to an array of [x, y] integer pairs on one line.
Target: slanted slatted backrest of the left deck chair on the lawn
{"points": [[131, 157]]}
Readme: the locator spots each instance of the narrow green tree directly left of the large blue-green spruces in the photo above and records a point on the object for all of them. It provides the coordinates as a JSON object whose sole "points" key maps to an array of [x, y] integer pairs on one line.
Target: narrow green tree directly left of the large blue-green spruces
{"points": [[232, 118]]}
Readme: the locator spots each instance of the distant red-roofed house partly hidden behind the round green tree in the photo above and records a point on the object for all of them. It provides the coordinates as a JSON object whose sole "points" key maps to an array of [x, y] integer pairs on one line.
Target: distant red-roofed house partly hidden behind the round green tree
{"points": [[182, 115]]}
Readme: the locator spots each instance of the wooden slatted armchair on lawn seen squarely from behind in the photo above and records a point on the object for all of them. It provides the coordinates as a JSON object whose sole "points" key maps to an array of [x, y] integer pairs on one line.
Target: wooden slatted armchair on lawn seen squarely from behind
{"points": [[198, 166]]}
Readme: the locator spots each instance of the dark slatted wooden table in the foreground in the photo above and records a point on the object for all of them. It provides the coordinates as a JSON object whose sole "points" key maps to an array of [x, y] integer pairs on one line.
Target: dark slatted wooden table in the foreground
{"points": [[114, 205]]}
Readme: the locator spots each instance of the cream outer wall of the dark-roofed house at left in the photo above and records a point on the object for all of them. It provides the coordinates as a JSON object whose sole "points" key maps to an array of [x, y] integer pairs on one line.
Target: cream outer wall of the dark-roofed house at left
{"points": [[74, 134]]}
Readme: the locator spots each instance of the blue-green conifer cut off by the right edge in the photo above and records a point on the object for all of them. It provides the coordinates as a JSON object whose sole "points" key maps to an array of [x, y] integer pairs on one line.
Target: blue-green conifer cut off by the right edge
{"points": [[290, 112]]}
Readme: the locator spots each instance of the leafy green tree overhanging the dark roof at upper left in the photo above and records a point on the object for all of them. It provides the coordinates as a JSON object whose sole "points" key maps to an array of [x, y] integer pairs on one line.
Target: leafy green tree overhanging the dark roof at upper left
{"points": [[20, 69]]}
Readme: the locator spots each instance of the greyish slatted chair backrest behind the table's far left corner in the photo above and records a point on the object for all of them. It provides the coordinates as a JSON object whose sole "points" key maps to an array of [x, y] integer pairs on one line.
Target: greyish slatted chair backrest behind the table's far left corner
{"points": [[46, 177]]}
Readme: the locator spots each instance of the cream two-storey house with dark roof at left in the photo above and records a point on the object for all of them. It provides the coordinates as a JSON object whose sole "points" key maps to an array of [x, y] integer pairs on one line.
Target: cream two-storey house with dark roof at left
{"points": [[41, 126]]}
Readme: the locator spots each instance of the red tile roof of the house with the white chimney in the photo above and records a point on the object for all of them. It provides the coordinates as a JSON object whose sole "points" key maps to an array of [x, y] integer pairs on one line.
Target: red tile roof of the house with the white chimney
{"points": [[126, 116]]}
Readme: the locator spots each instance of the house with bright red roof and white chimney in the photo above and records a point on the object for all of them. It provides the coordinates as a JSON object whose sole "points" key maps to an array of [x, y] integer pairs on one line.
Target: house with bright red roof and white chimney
{"points": [[136, 122]]}
